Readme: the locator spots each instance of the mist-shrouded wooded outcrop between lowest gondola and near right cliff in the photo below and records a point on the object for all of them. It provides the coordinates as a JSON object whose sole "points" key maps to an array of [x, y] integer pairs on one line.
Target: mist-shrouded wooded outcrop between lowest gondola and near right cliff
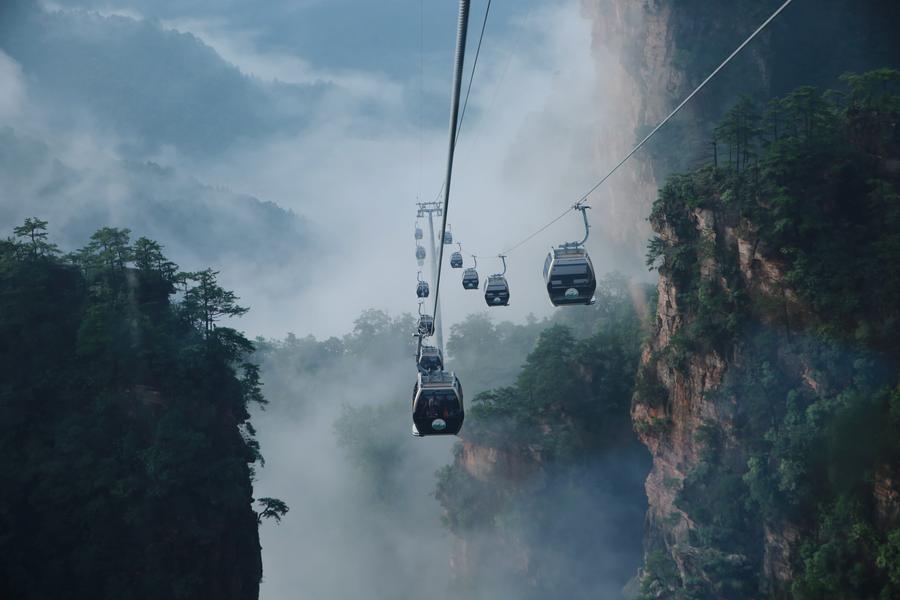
{"points": [[545, 495]]}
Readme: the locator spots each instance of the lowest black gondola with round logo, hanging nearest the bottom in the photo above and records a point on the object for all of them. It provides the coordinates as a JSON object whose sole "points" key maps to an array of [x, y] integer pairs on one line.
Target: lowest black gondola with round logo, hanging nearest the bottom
{"points": [[437, 404]]}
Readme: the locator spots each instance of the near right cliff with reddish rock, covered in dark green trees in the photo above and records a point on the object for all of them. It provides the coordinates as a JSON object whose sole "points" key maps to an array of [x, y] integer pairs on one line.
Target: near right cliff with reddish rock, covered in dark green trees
{"points": [[769, 394]]}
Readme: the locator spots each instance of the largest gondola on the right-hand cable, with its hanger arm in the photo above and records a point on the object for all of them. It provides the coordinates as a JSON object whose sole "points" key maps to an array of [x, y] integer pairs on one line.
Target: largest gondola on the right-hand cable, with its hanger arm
{"points": [[568, 271]]}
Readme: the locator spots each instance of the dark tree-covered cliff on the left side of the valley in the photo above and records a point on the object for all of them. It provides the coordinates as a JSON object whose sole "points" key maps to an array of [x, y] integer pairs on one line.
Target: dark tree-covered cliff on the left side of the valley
{"points": [[126, 449]]}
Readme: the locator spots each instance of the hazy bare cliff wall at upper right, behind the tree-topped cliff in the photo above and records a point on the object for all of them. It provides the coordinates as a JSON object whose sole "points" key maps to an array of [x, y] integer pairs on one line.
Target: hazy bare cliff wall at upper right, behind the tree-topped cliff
{"points": [[651, 54]]}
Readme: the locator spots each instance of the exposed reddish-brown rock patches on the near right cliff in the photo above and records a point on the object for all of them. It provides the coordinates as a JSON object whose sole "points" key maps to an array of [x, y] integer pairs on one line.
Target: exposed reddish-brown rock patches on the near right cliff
{"points": [[677, 404]]}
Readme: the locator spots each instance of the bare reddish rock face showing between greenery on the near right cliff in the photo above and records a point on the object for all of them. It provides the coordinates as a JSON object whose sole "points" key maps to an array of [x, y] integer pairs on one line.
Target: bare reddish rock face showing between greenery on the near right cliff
{"points": [[670, 428]]}
